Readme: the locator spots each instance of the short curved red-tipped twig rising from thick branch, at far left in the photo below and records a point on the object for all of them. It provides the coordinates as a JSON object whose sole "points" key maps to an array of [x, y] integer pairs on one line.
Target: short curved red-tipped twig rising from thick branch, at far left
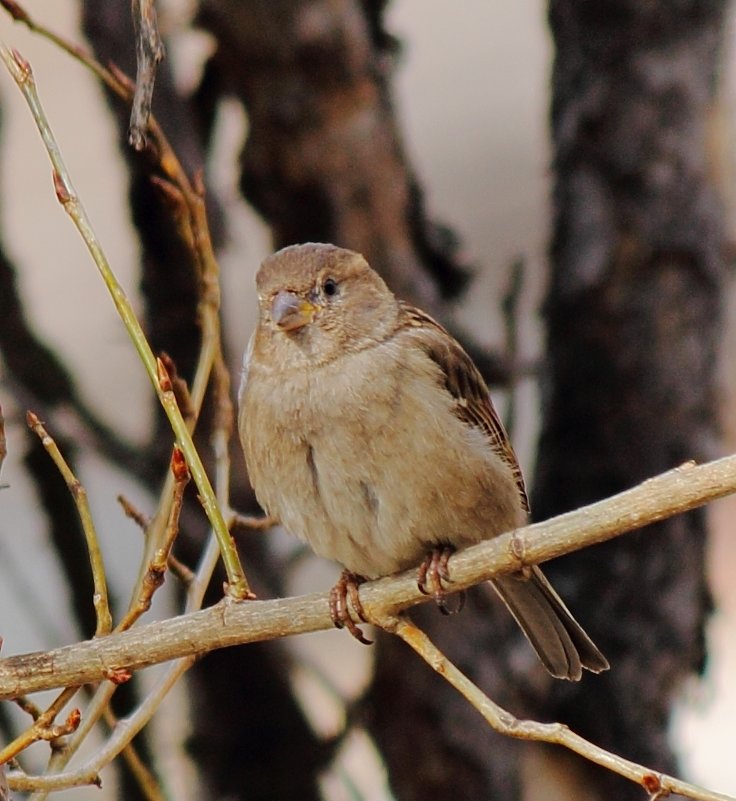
{"points": [[79, 495]]}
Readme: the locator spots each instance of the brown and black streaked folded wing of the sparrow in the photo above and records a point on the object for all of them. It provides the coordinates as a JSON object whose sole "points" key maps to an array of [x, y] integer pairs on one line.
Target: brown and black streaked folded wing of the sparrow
{"points": [[464, 382]]}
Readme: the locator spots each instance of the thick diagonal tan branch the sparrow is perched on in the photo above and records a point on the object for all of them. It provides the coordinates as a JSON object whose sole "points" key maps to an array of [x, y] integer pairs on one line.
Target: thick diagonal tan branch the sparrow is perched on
{"points": [[234, 623]]}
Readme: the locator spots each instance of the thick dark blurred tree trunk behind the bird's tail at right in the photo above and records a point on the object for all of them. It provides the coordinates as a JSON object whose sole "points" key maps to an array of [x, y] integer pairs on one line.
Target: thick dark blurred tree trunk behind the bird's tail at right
{"points": [[634, 319]]}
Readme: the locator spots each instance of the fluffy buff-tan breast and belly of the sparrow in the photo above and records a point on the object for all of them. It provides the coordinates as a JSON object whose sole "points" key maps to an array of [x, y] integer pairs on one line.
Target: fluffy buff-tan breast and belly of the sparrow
{"points": [[365, 460]]}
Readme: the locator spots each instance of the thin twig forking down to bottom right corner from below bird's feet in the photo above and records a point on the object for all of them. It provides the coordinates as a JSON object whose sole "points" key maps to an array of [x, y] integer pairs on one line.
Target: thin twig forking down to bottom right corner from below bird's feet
{"points": [[658, 785]]}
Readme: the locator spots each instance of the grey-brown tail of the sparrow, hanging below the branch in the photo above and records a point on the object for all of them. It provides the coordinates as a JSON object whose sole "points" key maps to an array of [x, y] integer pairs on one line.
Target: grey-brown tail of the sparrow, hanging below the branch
{"points": [[559, 640]]}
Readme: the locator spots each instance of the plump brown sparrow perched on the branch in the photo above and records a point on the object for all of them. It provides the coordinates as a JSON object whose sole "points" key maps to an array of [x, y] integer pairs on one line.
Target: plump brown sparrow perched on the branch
{"points": [[371, 435]]}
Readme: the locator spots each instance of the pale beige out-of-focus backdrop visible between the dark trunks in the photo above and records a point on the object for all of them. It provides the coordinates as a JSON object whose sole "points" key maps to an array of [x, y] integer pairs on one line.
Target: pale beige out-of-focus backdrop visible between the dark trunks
{"points": [[481, 149]]}
